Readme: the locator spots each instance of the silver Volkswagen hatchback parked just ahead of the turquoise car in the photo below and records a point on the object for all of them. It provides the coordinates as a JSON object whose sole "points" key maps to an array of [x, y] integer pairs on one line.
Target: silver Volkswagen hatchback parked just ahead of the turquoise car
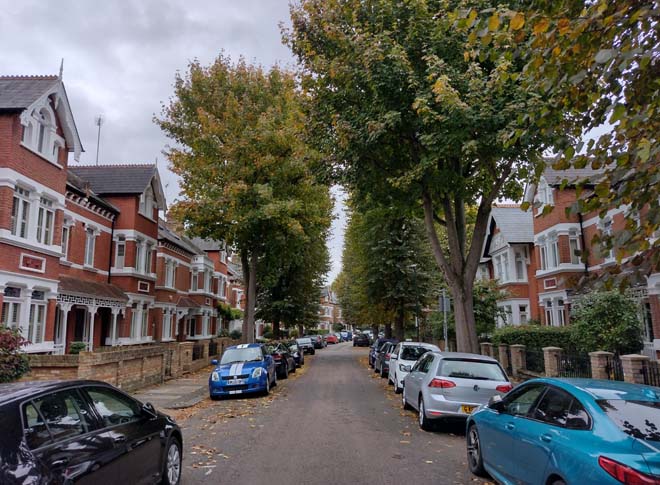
{"points": [[452, 385]]}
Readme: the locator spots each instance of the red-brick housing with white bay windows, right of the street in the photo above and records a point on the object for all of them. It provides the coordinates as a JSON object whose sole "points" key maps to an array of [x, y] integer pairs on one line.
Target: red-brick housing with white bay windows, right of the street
{"points": [[539, 259]]}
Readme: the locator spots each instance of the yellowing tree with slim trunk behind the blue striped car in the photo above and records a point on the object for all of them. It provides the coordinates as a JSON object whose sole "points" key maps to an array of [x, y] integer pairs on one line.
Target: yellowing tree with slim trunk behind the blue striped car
{"points": [[243, 161]]}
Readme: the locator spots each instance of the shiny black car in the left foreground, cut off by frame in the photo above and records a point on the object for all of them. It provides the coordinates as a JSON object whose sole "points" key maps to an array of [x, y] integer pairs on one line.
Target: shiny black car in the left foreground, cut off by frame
{"points": [[86, 432]]}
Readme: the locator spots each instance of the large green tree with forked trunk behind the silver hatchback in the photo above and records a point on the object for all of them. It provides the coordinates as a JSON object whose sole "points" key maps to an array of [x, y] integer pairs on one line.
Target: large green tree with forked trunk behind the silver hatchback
{"points": [[412, 115]]}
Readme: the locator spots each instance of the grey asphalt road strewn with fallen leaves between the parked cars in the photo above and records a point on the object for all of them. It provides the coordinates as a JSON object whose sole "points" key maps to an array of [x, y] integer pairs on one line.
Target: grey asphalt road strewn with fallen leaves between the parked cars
{"points": [[334, 422]]}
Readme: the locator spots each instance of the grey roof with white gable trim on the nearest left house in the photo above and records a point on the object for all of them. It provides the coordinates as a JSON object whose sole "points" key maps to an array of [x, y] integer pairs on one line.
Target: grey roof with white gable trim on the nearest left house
{"points": [[24, 93]]}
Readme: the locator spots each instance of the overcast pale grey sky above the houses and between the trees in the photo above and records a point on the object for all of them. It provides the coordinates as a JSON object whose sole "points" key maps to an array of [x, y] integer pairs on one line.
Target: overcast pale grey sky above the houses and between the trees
{"points": [[120, 58]]}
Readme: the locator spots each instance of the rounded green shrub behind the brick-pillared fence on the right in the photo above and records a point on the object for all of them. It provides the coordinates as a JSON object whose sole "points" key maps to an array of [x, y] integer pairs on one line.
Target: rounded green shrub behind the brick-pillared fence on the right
{"points": [[606, 320]]}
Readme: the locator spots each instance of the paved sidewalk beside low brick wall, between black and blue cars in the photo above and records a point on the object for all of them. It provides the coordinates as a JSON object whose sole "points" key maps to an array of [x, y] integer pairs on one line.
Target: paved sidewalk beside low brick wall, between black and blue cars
{"points": [[180, 393]]}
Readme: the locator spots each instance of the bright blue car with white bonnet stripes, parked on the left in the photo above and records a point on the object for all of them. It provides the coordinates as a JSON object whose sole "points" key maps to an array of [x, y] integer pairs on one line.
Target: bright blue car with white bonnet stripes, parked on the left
{"points": [[243, 369]]}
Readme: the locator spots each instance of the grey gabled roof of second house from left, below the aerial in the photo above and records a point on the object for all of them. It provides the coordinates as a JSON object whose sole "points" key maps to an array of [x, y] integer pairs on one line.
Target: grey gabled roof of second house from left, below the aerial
{"points": [[119, 179]]}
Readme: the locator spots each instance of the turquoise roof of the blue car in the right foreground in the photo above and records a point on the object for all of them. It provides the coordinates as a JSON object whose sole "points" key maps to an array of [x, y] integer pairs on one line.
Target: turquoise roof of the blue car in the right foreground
{"points": [[603, 389]]}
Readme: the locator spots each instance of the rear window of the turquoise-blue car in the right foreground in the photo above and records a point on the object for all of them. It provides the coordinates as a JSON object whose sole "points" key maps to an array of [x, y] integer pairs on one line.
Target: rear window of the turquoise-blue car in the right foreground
{"points": [[639, 419]]}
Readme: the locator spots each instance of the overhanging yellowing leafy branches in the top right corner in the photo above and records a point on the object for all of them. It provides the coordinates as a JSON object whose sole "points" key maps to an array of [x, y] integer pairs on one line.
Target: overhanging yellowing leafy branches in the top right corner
{"points": [[598, 64]]}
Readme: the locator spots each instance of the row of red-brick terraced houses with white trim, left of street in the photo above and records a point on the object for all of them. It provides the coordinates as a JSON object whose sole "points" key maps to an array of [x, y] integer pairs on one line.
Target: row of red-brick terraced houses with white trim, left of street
{"points": [[84, 256]]}
